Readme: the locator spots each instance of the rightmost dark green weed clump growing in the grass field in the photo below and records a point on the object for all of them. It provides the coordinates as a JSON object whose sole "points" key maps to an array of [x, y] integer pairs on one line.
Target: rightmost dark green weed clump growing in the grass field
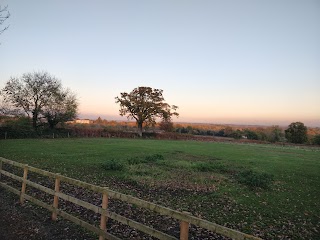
{"points": [[254, 179]]}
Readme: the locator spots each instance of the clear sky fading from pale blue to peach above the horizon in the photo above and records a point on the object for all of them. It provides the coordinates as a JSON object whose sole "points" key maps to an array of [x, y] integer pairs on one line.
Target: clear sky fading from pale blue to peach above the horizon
{"points": [[235, 62]]}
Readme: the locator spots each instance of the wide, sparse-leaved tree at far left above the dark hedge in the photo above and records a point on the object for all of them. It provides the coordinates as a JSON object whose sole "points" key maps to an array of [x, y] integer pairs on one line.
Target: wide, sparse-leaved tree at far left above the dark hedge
{"points": [[41, 97]]}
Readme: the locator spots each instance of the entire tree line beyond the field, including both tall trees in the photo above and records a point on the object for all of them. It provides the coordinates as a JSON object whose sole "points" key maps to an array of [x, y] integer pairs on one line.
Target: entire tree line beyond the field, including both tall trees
{"points": [[36, 104]]}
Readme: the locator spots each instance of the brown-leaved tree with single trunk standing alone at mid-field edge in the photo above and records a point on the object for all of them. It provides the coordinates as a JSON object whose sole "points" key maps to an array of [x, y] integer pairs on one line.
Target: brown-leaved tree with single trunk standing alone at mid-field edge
{"points": [[145, 105]]}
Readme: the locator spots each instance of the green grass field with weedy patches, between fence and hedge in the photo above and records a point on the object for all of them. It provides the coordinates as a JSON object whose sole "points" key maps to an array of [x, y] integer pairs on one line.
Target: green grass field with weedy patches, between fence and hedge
{"points": [[266, 190]]}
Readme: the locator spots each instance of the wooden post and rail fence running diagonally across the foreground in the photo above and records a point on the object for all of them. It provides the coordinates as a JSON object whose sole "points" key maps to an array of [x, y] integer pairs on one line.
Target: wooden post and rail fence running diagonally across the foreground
{"points": [[185, 218]]}
